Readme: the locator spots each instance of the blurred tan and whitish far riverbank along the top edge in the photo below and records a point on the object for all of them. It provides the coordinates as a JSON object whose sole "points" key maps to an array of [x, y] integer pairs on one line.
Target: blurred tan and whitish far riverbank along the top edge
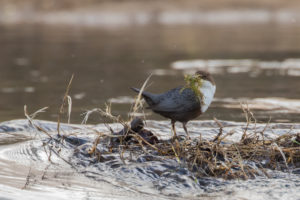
{"points": [[124, 13]]}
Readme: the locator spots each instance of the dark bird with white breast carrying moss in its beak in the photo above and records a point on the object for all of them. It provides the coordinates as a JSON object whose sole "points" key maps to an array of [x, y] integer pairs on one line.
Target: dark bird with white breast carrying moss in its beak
{"points": [[183, 103]]}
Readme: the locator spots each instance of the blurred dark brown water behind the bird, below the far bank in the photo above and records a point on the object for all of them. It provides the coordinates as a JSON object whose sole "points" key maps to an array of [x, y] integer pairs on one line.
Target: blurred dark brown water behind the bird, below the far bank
{"points": [[257, 64]]}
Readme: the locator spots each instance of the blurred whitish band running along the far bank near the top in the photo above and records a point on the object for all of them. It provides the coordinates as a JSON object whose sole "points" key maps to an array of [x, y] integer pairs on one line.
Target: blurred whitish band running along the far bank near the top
{"points": [[106, 18]]}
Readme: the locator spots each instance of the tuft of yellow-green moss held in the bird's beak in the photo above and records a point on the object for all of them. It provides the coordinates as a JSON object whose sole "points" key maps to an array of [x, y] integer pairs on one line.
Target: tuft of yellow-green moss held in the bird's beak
{"points": [[194, 82]]}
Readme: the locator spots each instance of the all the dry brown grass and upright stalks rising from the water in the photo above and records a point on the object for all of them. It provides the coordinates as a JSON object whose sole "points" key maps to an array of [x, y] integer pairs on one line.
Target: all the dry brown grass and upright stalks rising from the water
{"points": [[247, 158]]}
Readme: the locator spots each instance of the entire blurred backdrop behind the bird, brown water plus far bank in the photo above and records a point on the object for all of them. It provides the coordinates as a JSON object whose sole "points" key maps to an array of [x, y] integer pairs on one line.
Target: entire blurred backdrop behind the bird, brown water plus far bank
{"points": [[251, 47]]}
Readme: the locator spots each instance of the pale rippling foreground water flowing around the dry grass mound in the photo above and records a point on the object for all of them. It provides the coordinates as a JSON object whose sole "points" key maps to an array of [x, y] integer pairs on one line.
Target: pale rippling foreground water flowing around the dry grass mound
{"points": [[28, 172]]}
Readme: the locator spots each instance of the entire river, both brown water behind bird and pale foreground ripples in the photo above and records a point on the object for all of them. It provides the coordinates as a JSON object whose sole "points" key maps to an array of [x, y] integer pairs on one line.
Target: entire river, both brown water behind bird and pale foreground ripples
{"points": [[257, 64]]}
